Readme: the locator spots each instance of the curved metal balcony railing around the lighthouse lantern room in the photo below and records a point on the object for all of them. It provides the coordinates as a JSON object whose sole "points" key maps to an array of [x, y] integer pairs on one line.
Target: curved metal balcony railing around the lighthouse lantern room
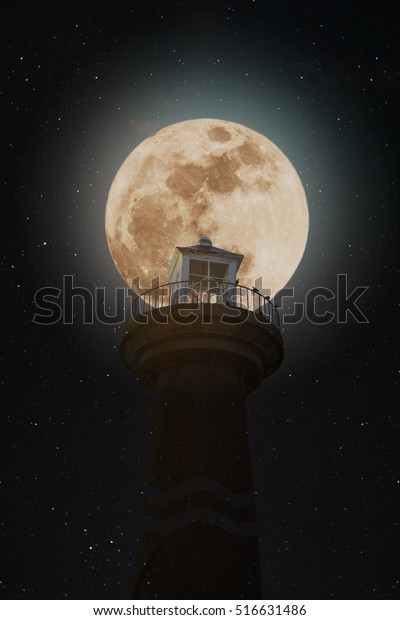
{"points": [[206, 292]]}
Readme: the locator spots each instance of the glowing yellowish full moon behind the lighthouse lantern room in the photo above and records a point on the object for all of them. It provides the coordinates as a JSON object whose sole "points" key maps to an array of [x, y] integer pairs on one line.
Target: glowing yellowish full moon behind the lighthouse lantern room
{"points": [[207, 177]]}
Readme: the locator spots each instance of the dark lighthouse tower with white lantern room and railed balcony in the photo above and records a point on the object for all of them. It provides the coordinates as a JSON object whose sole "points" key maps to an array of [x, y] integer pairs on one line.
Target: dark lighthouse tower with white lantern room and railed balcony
{"points": [[201, 343]]}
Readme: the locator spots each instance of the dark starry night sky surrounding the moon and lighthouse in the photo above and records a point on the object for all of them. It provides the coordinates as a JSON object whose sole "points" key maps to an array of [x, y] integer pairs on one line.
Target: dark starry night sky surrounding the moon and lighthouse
{"points": [[84, 83]]}
